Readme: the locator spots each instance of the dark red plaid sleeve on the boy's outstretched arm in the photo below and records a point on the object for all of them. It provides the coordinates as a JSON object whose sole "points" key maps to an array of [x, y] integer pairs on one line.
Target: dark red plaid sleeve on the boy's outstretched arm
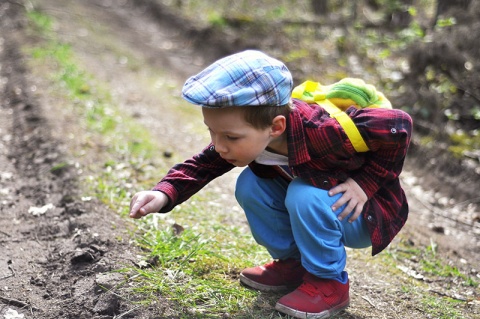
{"points": [[185, 179]]}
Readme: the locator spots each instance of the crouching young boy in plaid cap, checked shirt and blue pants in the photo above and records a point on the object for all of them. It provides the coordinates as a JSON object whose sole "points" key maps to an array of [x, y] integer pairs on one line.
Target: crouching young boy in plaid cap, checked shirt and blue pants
{"points": [[306, 192]]}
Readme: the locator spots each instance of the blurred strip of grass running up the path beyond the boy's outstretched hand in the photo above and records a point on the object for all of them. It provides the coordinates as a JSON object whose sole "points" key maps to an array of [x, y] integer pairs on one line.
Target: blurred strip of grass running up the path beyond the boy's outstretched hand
{"points": [[126, 145]]}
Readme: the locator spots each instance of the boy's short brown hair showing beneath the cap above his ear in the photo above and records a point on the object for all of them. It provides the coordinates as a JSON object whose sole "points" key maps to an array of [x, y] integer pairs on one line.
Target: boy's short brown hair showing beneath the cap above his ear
{"points": [[260, 116]]}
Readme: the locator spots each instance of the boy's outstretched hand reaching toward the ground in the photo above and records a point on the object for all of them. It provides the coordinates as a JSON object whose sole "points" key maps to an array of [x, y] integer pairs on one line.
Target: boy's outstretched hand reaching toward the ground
{"points": [[146, 202]]}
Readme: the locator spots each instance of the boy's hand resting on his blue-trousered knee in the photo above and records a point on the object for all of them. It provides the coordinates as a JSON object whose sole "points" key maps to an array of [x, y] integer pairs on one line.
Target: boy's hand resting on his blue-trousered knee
{"points": [[354, 195]]}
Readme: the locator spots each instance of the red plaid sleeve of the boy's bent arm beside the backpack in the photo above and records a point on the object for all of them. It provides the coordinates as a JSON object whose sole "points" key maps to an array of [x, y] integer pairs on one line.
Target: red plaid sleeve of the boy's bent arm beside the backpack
{"points": [[387, 134]]}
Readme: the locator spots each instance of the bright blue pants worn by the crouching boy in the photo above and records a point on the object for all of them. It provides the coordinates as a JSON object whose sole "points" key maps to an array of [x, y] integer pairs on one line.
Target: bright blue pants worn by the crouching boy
{"points": [[295, 220]]}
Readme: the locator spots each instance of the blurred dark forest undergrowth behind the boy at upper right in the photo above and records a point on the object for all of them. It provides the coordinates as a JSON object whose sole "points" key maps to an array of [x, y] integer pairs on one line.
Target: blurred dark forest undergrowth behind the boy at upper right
{"points": [[424, 55]]}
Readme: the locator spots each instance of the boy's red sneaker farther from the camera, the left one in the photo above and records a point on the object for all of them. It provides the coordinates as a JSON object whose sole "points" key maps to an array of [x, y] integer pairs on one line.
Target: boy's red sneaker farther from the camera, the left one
{"points": [[274, 276]]}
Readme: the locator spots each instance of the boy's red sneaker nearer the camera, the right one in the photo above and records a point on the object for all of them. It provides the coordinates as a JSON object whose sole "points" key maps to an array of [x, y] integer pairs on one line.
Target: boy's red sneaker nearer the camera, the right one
{"points": [[316, 298]]}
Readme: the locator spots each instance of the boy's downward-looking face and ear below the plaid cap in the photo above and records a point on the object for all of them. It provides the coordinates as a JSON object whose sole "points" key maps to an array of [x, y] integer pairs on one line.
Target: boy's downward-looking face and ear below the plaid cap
{"points": [[237, 141]]}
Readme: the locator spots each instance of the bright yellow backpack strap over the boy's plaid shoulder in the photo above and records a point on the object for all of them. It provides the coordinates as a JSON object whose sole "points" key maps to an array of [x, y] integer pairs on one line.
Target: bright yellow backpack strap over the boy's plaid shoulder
{"points": [[347, 124]]}
